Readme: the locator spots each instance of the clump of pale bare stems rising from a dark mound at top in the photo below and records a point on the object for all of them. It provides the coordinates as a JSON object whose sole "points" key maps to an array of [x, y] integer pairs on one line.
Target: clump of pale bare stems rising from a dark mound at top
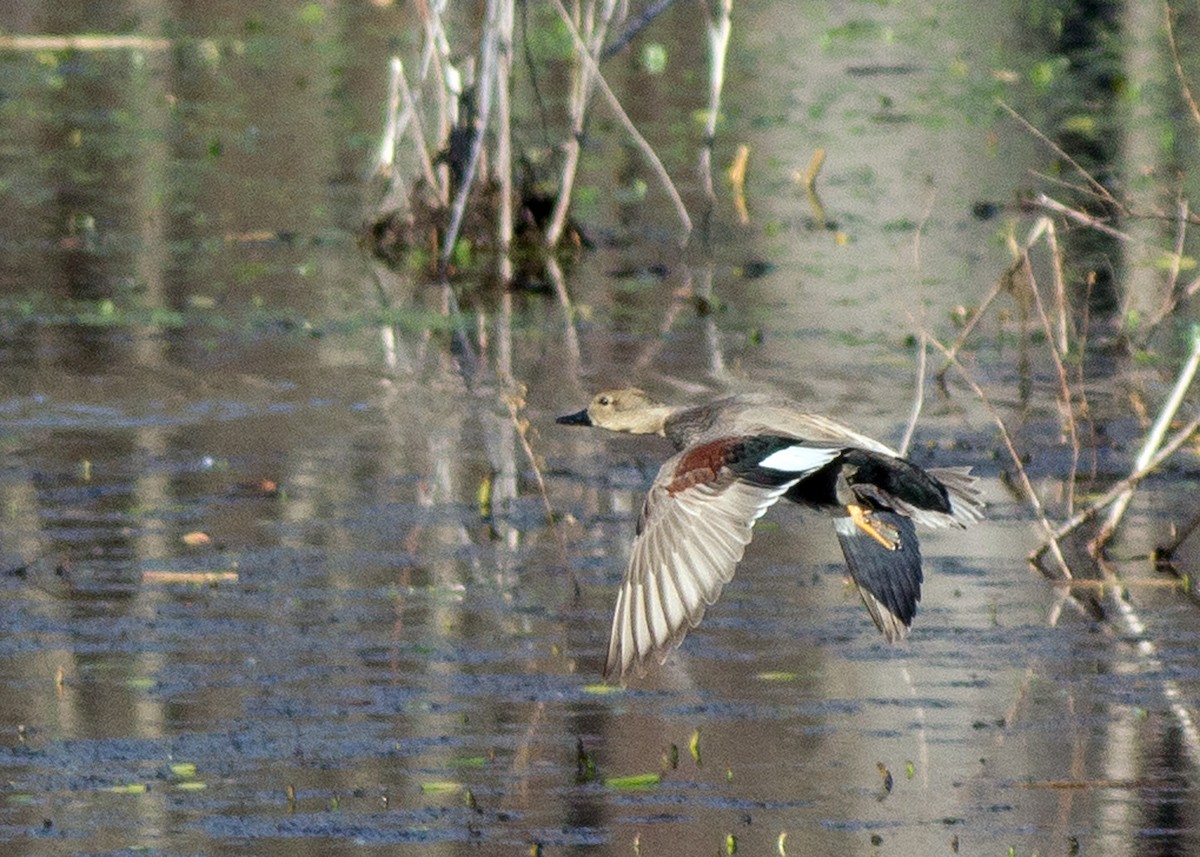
{"points": [[459, 123]]}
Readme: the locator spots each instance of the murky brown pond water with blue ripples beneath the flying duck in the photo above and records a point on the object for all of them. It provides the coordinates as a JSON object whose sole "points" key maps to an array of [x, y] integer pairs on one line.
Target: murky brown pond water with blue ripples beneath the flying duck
{"points": [[410, 651]]}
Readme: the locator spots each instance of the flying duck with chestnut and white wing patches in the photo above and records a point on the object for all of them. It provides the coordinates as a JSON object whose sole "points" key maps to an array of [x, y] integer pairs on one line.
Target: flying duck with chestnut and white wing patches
{"points": [[736, 457]]}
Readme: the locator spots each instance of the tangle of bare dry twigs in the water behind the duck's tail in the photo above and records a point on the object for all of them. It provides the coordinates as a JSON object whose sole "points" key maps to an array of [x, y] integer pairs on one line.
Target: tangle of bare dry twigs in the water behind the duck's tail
{"points": [[1066, 329]]}
